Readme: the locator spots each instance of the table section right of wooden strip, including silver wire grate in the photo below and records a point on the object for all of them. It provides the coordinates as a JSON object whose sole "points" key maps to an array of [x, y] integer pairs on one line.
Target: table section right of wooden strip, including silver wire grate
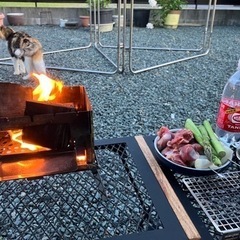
{"points": [[212, 202]]}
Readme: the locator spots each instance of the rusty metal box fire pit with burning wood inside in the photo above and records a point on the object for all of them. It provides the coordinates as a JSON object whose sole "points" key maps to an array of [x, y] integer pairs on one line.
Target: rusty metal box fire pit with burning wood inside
{"points": [[59, 130]]}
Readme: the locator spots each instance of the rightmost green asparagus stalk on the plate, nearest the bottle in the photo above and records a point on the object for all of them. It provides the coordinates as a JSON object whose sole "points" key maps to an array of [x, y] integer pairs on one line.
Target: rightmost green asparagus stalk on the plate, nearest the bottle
{"points": [[217, 145]]}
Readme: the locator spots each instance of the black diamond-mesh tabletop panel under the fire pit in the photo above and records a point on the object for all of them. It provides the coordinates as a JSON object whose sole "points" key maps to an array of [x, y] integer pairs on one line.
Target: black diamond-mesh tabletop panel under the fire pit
{"points": [[75, 206]]}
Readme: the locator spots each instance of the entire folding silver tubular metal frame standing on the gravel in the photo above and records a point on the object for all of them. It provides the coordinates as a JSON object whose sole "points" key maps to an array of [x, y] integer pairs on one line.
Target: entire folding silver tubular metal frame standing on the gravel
{"points": [[121, 48]]}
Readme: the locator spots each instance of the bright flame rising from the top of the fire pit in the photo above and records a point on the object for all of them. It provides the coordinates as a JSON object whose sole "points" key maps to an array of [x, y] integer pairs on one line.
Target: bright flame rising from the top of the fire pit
{"points": [[48, 89]]}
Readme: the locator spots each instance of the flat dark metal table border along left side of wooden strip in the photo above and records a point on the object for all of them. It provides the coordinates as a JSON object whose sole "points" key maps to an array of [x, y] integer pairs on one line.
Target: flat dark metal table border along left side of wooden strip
{"points": [[161, 203]]}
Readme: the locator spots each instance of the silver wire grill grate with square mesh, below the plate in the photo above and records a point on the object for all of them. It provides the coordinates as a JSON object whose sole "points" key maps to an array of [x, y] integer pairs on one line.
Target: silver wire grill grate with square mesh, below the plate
{"points": [[219, 197]]}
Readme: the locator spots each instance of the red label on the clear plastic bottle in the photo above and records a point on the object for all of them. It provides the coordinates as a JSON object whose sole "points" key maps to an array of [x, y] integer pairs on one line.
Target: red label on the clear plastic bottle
{"points": [[228, 117]]}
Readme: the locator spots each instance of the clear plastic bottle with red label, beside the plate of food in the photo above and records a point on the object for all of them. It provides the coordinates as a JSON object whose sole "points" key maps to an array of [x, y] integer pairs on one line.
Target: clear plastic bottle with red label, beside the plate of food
{"points": [[228, 118]]}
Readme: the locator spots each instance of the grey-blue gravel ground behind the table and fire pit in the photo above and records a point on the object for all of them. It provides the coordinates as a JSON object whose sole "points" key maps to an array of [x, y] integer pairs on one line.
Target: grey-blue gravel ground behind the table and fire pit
{"points": [[127, 104]]}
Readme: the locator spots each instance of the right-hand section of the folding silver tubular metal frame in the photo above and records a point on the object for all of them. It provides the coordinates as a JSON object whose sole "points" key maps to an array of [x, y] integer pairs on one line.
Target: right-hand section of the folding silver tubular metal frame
{"points": [[205, 45]]}
